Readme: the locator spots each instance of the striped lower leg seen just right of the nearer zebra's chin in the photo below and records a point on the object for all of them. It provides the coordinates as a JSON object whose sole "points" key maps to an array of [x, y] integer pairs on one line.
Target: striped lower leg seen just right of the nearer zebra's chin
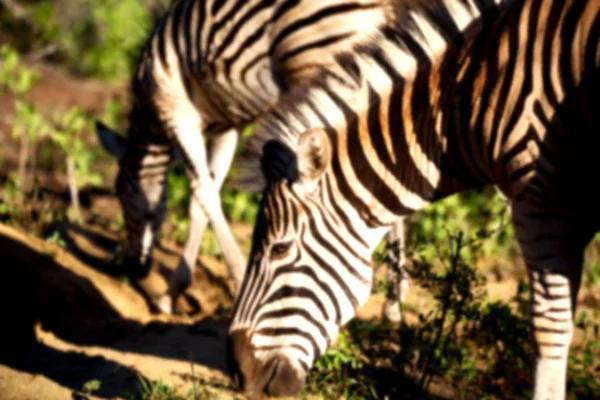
{"points": [[397, 279]]}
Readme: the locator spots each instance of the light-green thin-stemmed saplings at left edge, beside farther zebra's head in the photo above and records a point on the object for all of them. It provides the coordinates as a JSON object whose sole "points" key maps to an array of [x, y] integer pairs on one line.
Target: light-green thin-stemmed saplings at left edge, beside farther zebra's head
{"points": [[31, 127]]}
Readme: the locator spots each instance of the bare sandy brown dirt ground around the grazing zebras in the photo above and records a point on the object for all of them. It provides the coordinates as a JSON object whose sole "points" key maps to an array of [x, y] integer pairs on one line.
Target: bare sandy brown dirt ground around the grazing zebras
{"points": [[69, 318]]}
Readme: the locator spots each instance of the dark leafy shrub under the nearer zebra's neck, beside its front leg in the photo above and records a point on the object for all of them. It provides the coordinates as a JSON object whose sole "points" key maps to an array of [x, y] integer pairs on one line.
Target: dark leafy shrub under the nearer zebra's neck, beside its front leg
{"points": [[461, 336]]}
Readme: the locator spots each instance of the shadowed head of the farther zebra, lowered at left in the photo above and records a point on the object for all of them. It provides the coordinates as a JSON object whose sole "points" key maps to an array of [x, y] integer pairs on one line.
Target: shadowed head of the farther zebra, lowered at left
{"points": [[141, 188]]}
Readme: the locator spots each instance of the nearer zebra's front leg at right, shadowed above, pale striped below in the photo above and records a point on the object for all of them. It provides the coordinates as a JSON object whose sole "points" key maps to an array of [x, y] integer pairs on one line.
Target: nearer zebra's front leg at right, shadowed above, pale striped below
{"points": [[552, 247]]}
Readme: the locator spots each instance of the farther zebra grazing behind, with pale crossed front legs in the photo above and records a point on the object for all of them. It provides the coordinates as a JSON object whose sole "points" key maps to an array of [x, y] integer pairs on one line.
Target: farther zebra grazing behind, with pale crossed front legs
{"points": [[208, 69]]}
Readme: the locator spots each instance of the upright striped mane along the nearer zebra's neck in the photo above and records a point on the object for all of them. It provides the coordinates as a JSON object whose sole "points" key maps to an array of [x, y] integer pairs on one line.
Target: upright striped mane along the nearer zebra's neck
{"points": [[413, 21]]}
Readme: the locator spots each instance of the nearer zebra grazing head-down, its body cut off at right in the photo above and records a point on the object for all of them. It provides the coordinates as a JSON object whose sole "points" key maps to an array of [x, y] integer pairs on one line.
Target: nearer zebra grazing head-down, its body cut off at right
{"points": [[454, 95]]}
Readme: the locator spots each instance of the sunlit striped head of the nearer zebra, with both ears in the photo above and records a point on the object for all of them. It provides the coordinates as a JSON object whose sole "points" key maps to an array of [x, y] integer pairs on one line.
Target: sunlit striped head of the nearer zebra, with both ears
{"points": [[308, 271]]}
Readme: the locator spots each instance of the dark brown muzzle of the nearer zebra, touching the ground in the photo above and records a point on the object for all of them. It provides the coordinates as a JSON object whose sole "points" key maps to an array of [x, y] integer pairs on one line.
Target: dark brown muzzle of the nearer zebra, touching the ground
{"points": [[275, 377]]}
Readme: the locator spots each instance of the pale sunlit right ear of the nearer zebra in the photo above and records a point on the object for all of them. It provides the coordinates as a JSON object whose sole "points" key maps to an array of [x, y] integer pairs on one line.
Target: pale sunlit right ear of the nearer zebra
{"points": [[314, 154]]}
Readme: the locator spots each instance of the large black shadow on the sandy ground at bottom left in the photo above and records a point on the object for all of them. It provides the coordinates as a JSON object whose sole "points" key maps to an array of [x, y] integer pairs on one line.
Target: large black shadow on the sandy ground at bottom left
{"points": [[37, 290]]}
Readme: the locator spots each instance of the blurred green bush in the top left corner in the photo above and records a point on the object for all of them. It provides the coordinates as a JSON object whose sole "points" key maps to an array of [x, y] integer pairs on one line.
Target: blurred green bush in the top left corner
{"points": [[102, 39]]}
